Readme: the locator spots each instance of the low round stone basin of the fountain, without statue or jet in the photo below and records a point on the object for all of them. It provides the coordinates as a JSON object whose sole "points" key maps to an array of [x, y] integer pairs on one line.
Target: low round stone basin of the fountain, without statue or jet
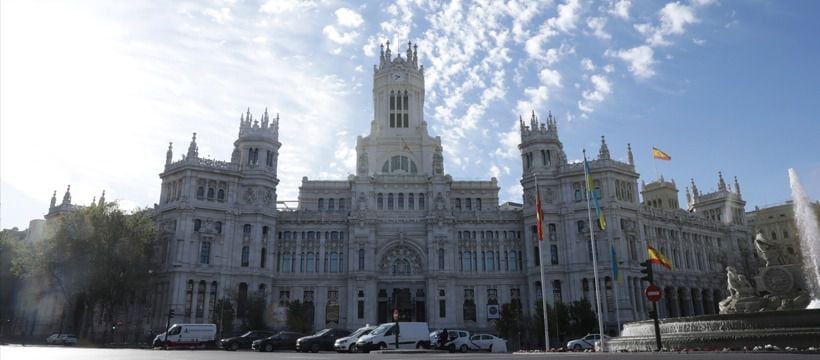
{"points": [[792, 328]]}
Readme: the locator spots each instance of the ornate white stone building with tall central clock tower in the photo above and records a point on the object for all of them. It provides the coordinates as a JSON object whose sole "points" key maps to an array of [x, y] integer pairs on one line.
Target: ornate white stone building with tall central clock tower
{"points": [[402, 233]]}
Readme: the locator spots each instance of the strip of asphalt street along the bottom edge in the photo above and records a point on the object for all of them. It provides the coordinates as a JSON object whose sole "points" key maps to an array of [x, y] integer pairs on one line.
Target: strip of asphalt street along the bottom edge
{"points": [[17, 352]]}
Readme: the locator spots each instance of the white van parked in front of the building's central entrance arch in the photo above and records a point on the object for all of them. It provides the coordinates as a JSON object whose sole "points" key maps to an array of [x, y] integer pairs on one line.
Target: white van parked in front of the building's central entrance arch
{"points": [[412, 335]]}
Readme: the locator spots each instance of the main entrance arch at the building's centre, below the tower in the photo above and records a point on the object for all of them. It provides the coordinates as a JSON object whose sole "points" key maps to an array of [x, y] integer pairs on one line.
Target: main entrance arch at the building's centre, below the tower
{"points": [[401, 284]]}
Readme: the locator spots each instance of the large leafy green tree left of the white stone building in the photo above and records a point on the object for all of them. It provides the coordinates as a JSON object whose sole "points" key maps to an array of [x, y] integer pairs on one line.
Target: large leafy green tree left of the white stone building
{"points": [[98, 257]]}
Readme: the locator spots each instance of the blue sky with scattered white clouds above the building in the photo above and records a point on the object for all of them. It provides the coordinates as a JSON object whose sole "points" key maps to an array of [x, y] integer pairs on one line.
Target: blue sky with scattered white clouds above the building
{"points": [[92, 92]]}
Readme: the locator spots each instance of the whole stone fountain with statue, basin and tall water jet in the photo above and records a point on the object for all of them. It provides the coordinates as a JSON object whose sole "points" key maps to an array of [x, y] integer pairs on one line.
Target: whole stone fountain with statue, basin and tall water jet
{"points": [[782, 310]]}
